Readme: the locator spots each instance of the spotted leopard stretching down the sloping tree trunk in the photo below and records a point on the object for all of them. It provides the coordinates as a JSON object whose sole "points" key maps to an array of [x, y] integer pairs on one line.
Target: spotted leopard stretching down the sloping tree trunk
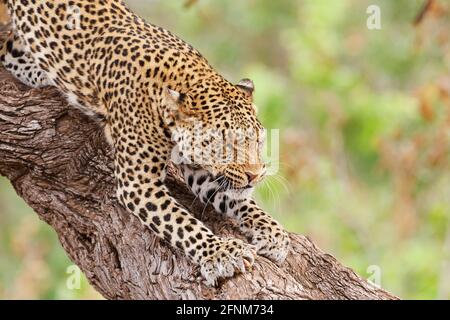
{"points": [[152, 91]]}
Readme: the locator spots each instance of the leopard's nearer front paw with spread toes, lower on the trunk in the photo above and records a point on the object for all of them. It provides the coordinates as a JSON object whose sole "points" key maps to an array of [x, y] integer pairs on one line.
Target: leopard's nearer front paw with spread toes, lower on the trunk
{"points": [[227, 257]]}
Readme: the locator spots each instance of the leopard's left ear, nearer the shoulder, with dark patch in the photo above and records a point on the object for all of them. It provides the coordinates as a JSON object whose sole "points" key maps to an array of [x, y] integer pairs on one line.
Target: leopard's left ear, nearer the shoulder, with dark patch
{"points": [[175, 107]]}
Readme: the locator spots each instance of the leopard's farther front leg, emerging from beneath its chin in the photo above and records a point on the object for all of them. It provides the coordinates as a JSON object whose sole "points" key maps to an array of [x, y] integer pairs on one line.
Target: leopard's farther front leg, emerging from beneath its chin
{"points": [[269, 237]]}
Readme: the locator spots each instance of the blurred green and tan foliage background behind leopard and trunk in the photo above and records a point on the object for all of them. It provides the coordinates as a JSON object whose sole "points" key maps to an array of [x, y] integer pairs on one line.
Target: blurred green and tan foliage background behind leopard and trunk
{"points": [[364, 119]]}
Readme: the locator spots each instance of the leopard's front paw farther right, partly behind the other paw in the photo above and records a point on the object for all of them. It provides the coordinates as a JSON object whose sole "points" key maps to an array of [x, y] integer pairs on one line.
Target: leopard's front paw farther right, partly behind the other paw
{"points": [[272, 243]]}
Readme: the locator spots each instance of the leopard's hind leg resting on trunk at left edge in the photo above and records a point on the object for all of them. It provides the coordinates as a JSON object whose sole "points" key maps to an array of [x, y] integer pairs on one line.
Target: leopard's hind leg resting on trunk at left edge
{"points": [[19, 62]]}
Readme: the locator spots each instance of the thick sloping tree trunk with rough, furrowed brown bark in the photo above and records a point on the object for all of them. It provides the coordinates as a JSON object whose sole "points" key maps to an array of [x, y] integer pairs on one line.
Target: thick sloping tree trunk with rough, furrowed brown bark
{"points": [[59, 162]]}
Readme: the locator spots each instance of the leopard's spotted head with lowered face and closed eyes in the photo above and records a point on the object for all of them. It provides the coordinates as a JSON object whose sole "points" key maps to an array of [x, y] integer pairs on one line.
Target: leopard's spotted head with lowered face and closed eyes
{"points": [[215, 128]]}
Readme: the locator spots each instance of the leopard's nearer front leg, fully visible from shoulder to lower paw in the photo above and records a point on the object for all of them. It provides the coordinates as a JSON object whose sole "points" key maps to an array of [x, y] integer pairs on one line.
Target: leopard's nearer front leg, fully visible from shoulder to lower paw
{"points": [[140, 171]]}
